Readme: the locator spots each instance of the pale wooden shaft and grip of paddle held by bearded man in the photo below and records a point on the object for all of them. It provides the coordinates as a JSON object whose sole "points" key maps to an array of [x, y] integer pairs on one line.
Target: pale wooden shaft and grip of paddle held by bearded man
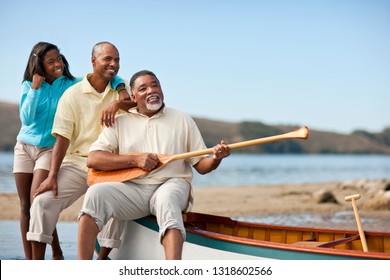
{"points": [[301, 133]]}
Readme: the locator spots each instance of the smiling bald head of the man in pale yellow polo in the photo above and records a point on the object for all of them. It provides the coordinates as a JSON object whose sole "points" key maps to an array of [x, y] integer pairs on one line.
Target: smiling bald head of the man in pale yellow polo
{"points": [[105, 61]]}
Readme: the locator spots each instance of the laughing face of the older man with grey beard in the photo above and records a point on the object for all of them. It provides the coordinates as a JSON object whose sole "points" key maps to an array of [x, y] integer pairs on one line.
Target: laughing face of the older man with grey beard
{"points": [[148, 94]]}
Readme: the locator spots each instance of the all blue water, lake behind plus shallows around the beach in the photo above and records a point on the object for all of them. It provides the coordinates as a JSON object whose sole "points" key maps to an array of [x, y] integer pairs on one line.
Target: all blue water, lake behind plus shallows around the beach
{"points": [[237, 170]]}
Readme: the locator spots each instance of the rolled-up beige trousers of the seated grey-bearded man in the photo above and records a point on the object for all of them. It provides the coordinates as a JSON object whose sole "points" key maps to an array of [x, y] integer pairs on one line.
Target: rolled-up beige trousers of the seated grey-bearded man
{"points": [[114, 203]]}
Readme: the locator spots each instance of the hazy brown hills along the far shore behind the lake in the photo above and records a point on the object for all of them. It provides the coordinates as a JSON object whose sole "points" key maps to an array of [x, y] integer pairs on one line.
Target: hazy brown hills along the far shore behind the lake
{"points": [[213, 131]]}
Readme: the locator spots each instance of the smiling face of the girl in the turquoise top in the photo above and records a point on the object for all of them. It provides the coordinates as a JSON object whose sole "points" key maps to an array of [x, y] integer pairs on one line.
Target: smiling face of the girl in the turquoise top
{"points": [[53, 65]]}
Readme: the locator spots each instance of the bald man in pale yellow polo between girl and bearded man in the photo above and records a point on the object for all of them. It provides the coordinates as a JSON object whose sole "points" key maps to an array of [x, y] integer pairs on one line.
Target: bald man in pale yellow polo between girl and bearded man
{"points": [[77, 125]]}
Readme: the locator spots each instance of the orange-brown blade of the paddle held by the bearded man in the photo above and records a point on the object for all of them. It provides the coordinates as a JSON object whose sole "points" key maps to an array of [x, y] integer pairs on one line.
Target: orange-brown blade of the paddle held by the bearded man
{"points": [[121, 175]]}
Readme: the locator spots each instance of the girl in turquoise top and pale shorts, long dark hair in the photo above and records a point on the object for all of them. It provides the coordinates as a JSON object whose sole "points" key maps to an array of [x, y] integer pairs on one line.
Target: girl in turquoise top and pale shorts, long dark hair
{"points": [[46, 78]]}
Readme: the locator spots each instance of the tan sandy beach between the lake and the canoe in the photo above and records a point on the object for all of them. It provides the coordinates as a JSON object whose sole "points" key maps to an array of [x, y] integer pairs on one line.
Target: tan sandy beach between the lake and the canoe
{"points": [[263, 201]]}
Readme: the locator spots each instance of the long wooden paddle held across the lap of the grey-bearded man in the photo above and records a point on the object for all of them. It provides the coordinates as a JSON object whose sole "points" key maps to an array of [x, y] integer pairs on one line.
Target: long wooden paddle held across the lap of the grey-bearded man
{"points": [[121, 175]]}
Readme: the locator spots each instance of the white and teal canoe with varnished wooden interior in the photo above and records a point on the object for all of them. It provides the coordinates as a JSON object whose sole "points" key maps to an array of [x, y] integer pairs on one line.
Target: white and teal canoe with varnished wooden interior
{"points": [[215, 237]]}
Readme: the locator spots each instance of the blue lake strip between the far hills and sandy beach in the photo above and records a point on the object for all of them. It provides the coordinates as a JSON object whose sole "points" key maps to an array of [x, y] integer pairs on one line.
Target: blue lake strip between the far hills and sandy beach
{"points": [[238, 170]]}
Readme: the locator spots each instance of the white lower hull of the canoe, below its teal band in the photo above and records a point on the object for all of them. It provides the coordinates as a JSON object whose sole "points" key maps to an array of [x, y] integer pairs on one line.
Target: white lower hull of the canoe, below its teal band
{"points": [[142, 243]]}
